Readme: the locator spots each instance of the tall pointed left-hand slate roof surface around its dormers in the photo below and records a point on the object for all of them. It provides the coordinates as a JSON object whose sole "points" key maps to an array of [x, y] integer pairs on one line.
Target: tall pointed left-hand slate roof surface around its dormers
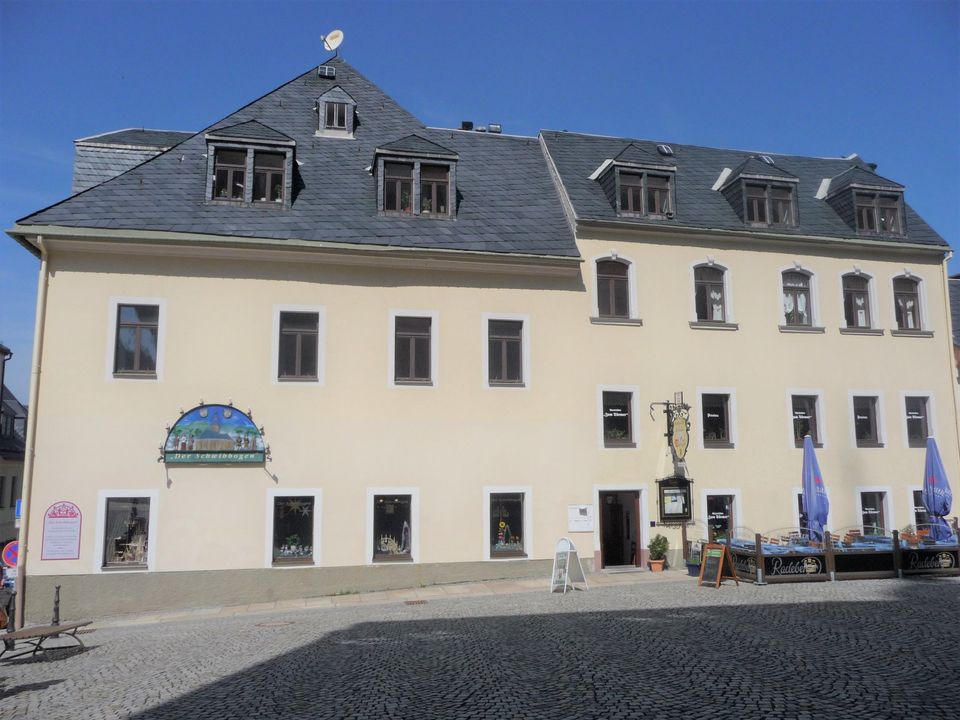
{"points": [[506, 199]]}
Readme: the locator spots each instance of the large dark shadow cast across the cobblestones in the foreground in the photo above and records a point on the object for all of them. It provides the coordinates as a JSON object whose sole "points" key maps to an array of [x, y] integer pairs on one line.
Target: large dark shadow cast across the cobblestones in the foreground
{"points": [[891, 658]]}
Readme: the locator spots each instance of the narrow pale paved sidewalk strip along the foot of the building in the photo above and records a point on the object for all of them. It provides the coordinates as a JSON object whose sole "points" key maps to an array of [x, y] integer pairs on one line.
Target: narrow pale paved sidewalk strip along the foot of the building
{"points": [[430, 592]]}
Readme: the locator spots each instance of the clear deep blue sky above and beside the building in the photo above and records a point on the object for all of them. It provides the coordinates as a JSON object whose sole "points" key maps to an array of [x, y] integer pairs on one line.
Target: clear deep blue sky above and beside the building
{"points": [[878, 78]]}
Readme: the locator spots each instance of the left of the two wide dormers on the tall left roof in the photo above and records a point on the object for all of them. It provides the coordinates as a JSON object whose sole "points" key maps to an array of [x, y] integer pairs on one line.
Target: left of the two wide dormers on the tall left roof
{"points": [[250, 164]]}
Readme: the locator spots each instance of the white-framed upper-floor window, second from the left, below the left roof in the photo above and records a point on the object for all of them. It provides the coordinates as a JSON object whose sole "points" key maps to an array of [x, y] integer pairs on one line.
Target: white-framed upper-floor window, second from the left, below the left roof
{"points": [[298, 345]]}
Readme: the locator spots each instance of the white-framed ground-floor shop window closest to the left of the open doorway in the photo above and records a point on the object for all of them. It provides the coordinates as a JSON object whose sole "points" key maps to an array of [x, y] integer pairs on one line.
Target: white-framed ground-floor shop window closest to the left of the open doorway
{"points": [[507, 522]]}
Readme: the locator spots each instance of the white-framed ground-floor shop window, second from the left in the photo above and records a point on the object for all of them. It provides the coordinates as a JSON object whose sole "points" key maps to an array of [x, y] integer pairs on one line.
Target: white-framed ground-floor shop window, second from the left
{"points": [[292, 520]]}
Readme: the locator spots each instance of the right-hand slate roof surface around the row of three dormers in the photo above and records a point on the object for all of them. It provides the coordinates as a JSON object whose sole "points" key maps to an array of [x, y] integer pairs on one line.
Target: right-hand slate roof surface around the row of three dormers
{"points": [[576, 156]]}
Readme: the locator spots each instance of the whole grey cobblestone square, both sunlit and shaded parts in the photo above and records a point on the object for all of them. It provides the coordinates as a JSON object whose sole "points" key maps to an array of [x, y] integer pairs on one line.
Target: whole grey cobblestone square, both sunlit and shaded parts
{"points": [[660, 648]]}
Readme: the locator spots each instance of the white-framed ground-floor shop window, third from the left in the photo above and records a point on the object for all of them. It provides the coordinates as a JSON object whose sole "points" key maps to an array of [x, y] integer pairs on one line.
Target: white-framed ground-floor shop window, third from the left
{"points": [[393, 525]]}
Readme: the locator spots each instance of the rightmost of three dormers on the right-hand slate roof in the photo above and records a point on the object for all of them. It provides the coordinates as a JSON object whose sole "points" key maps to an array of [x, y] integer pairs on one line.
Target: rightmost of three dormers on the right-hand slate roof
{"points": [[870, 204]]}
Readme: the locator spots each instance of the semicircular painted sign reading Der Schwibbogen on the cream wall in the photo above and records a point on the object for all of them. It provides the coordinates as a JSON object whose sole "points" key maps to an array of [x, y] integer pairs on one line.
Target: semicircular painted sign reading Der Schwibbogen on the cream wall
{"points": [[214, 434]]}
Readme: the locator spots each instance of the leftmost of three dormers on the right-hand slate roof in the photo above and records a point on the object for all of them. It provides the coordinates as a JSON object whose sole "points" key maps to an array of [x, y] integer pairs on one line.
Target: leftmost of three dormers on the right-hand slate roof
{"points": [[638, 183]]}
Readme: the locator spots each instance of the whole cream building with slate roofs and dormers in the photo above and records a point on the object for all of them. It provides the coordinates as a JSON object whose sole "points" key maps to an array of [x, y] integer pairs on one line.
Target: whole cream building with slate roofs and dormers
{"points": [[452, 346]]}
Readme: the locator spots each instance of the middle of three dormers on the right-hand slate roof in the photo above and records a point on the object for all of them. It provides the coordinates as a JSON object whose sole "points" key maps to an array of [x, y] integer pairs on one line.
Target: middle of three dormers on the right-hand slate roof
{"points": [[761, 193]]}
